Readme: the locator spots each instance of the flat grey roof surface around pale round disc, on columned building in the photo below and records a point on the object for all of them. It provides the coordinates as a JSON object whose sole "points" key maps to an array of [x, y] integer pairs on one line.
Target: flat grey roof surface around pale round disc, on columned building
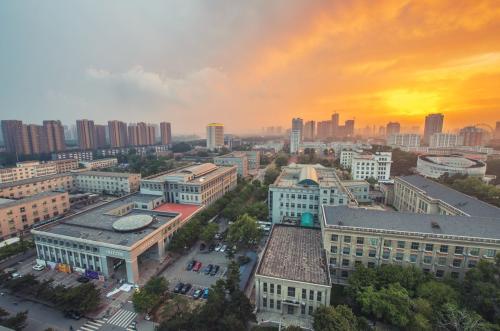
{"points": [[96, 224]]}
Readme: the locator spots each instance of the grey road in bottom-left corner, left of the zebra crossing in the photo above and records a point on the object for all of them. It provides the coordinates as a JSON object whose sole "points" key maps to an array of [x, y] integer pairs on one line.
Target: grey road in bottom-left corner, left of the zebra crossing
{"points": [[40, 317]]}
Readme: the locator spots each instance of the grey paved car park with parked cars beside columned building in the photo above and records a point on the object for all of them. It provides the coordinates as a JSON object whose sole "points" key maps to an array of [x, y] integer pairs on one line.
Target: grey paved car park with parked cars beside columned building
{"points": [[177, 272]]}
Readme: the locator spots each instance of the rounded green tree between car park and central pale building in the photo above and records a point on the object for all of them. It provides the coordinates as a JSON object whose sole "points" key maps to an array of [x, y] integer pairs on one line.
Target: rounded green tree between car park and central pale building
{"points": [[244, 233]]}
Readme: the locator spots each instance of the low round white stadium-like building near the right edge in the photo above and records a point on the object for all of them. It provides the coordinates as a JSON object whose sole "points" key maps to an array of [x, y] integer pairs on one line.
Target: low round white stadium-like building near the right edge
{"points": [[435, 166]]}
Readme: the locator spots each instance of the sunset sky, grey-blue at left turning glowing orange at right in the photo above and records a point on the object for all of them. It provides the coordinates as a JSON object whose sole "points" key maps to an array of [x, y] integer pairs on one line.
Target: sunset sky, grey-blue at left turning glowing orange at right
{"points": [[250, 64]]}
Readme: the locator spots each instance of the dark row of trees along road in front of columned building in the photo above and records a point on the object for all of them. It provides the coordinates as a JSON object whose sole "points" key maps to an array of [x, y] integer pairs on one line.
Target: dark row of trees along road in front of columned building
{"points": [[82, 298]]}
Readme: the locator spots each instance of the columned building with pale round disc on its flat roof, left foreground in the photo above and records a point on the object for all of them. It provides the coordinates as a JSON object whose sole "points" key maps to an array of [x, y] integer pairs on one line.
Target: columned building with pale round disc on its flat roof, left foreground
{"points": [[114, 238]]}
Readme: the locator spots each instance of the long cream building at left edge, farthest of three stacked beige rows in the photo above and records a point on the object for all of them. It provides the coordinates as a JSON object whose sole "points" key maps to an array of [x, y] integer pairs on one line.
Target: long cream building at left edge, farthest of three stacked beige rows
{"points": [[32, 169]]}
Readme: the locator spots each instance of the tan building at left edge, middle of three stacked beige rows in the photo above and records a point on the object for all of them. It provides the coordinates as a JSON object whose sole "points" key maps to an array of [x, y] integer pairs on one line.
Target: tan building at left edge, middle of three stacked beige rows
{"points": [[31, 186]]}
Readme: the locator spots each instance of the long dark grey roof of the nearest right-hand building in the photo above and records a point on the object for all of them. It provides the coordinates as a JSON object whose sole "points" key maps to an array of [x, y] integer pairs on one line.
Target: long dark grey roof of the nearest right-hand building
{"points": [[463, 226]]}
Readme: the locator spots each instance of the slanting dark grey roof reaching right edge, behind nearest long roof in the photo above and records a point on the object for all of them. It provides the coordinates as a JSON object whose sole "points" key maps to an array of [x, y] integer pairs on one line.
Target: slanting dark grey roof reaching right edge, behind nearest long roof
{"points": [[461, 201]]}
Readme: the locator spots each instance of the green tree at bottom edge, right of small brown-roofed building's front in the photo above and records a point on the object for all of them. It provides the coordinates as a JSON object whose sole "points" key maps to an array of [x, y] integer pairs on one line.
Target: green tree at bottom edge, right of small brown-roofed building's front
{"points": [[339, 318]]}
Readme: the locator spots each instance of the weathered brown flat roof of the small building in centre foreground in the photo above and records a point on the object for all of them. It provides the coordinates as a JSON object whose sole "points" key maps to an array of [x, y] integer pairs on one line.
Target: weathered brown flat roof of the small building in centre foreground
{"points": [[296, 254]]}
